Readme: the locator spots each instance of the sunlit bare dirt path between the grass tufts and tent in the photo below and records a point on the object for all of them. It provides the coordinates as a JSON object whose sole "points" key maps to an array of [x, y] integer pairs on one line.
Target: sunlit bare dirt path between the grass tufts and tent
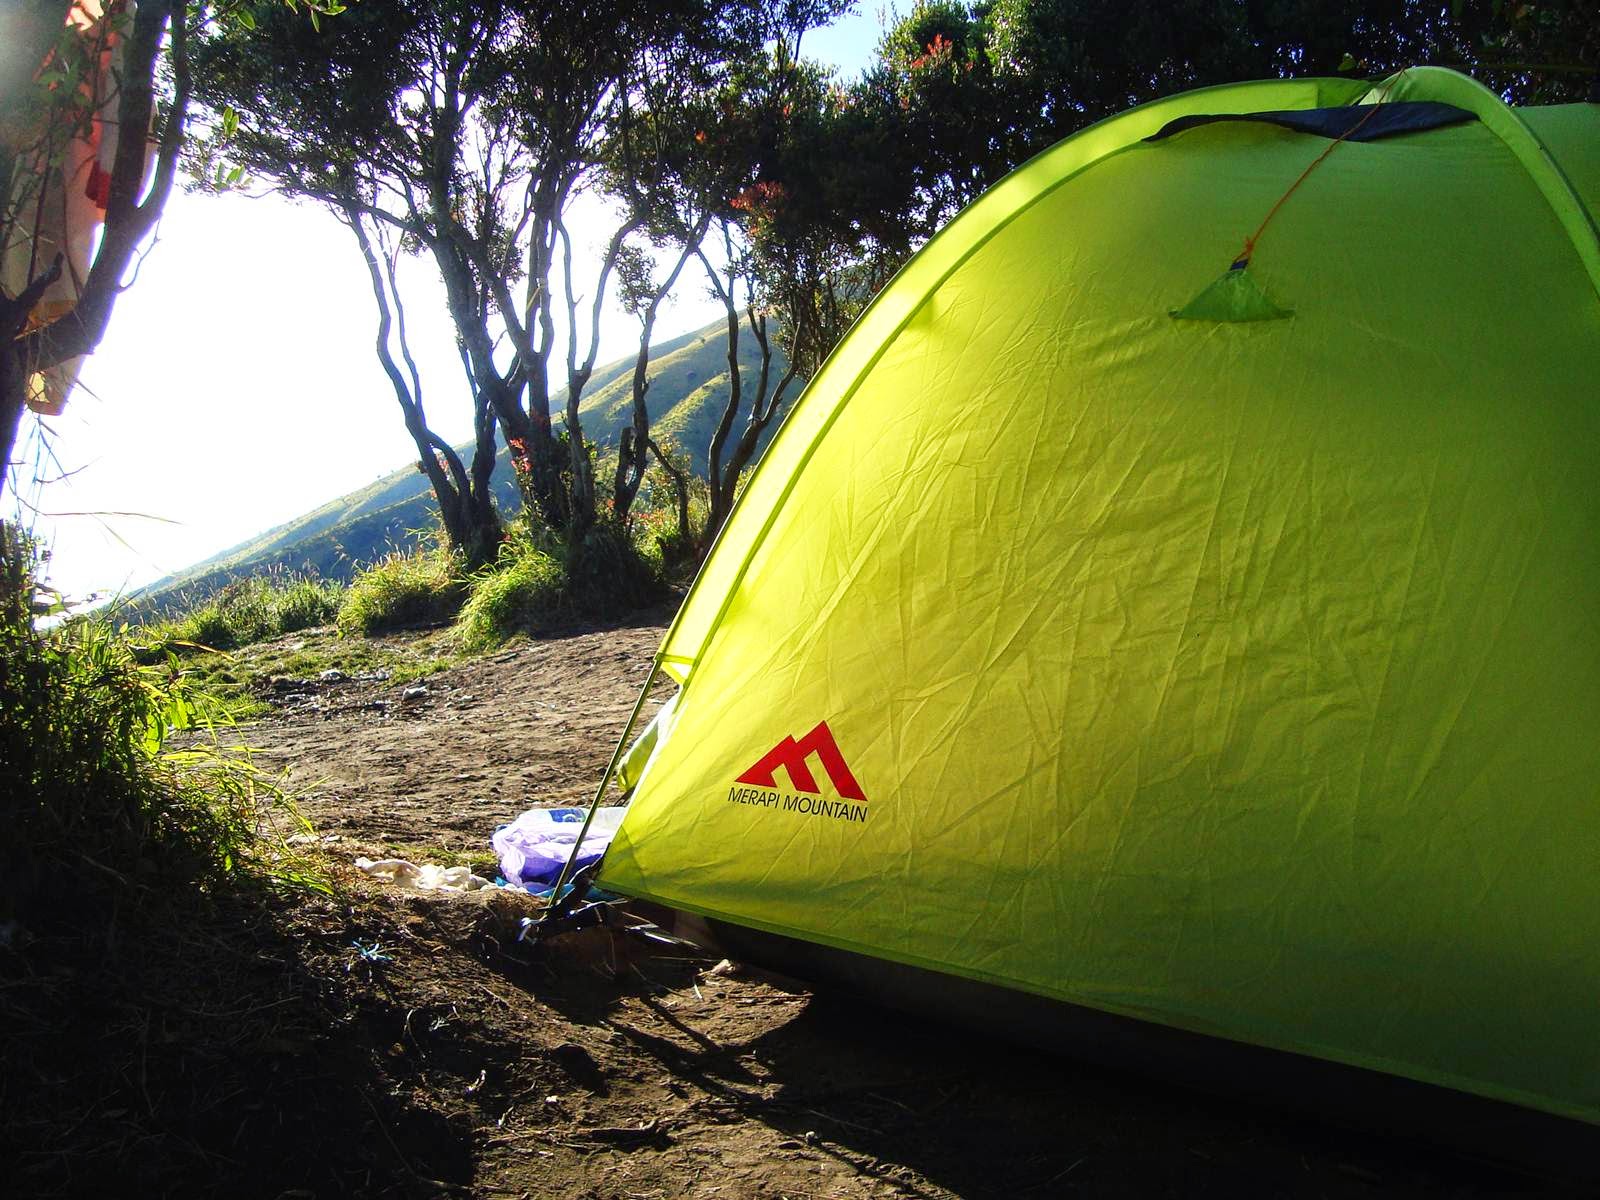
{"points": [[446, 761]]}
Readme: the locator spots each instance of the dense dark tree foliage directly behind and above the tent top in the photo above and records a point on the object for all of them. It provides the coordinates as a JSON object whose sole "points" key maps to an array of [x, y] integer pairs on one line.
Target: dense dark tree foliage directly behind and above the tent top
{"points": [[962, 94]]}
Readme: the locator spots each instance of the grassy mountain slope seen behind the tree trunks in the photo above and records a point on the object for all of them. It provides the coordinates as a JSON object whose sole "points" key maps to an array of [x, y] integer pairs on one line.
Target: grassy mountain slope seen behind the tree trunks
{"points": [[689, 385]]}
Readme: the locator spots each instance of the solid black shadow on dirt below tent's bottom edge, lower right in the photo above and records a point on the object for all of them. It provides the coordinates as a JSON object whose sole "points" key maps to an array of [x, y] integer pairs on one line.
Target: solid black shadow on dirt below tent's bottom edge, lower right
{"points": [[983, 1118]]}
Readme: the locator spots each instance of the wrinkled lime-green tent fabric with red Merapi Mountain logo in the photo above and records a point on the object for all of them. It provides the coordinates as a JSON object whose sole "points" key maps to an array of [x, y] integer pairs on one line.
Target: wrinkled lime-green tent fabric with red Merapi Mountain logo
{"points": [[1239, 676]]}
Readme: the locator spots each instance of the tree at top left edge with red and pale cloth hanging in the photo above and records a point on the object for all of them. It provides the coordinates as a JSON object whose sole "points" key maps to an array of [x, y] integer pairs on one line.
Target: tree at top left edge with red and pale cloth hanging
{"points": [[90, 140]]}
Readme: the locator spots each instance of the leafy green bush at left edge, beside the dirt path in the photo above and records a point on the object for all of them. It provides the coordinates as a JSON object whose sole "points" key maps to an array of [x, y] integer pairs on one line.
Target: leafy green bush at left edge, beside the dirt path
{"points": [[94, 799]]}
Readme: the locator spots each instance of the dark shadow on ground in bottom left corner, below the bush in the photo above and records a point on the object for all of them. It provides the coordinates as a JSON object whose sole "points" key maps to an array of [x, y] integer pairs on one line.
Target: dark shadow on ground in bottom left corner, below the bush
{"points": [[225, 1047]]}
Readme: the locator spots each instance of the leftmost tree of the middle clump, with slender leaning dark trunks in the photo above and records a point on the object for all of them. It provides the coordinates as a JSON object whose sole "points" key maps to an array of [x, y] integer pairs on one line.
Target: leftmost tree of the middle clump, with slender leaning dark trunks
{"points": [[370, 118]]}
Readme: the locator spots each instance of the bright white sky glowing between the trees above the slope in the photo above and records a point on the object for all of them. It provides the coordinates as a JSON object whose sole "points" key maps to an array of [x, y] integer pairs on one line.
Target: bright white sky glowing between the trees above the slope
{"points": [[238, 385]]}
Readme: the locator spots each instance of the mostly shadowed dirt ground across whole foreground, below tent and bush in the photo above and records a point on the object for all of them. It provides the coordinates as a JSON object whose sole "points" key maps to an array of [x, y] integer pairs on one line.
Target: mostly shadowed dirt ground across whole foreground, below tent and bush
{"points": [[406, 1046]]}
